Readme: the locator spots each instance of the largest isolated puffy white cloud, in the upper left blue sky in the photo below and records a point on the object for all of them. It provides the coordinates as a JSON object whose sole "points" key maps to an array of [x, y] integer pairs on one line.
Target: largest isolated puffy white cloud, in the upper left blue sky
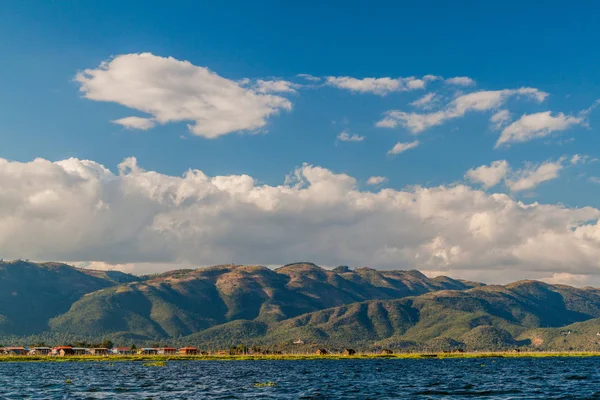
{"points": [[173, 91]]}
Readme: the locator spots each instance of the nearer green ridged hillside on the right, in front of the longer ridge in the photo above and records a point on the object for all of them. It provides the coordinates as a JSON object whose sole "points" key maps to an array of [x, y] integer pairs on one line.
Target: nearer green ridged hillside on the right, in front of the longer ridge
{"points": [[489, 317]]}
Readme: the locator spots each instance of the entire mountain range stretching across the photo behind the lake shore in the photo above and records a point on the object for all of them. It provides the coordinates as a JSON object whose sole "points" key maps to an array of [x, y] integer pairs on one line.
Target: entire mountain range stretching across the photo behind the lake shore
{"points": [[230, 304]]}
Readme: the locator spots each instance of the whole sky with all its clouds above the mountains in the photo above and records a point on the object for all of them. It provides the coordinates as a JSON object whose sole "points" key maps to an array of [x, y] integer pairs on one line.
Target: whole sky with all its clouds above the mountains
{"points": [[454, 139]]}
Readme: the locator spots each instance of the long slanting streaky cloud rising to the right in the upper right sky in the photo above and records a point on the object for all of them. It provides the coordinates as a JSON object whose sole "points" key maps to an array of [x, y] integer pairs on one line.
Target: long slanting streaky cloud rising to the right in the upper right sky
{"points": [[476, 101]]}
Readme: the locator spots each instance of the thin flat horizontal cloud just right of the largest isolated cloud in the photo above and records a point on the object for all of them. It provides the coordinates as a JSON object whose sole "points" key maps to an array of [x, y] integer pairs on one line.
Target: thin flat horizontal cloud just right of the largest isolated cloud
{"points": [[379, 86]]}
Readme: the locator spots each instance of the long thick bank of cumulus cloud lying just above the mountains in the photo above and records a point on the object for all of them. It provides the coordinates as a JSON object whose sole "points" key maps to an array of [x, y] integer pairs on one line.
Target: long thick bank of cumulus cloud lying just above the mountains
{"points": [[78, 210]]}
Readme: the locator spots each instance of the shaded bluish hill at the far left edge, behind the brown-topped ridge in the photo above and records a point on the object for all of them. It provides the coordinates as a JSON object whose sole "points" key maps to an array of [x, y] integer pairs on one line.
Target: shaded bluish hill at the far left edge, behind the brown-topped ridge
{"points": [[31, 294]]}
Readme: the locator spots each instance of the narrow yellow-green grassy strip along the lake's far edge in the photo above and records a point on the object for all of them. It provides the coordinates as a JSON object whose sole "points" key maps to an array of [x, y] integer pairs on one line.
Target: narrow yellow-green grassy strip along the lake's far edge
{"points": [[364, 356]]}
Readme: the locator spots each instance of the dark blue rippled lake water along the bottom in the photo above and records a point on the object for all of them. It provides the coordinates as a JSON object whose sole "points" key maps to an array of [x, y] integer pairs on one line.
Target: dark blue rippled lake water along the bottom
{"points": [[520, 378]]}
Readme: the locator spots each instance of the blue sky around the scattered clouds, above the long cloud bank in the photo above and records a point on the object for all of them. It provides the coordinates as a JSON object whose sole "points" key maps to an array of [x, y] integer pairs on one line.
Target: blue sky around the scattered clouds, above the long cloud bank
{"points": [[45, 114]]}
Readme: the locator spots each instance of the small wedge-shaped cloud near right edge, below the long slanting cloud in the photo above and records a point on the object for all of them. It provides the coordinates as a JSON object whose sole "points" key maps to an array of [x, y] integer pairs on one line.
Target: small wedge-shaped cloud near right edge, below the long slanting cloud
{"points": [[538, 125]]}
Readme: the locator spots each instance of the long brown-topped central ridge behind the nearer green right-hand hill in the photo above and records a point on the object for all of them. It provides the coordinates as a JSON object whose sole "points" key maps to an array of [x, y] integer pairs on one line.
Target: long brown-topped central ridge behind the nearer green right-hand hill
{"points": [[188, 301]]}
